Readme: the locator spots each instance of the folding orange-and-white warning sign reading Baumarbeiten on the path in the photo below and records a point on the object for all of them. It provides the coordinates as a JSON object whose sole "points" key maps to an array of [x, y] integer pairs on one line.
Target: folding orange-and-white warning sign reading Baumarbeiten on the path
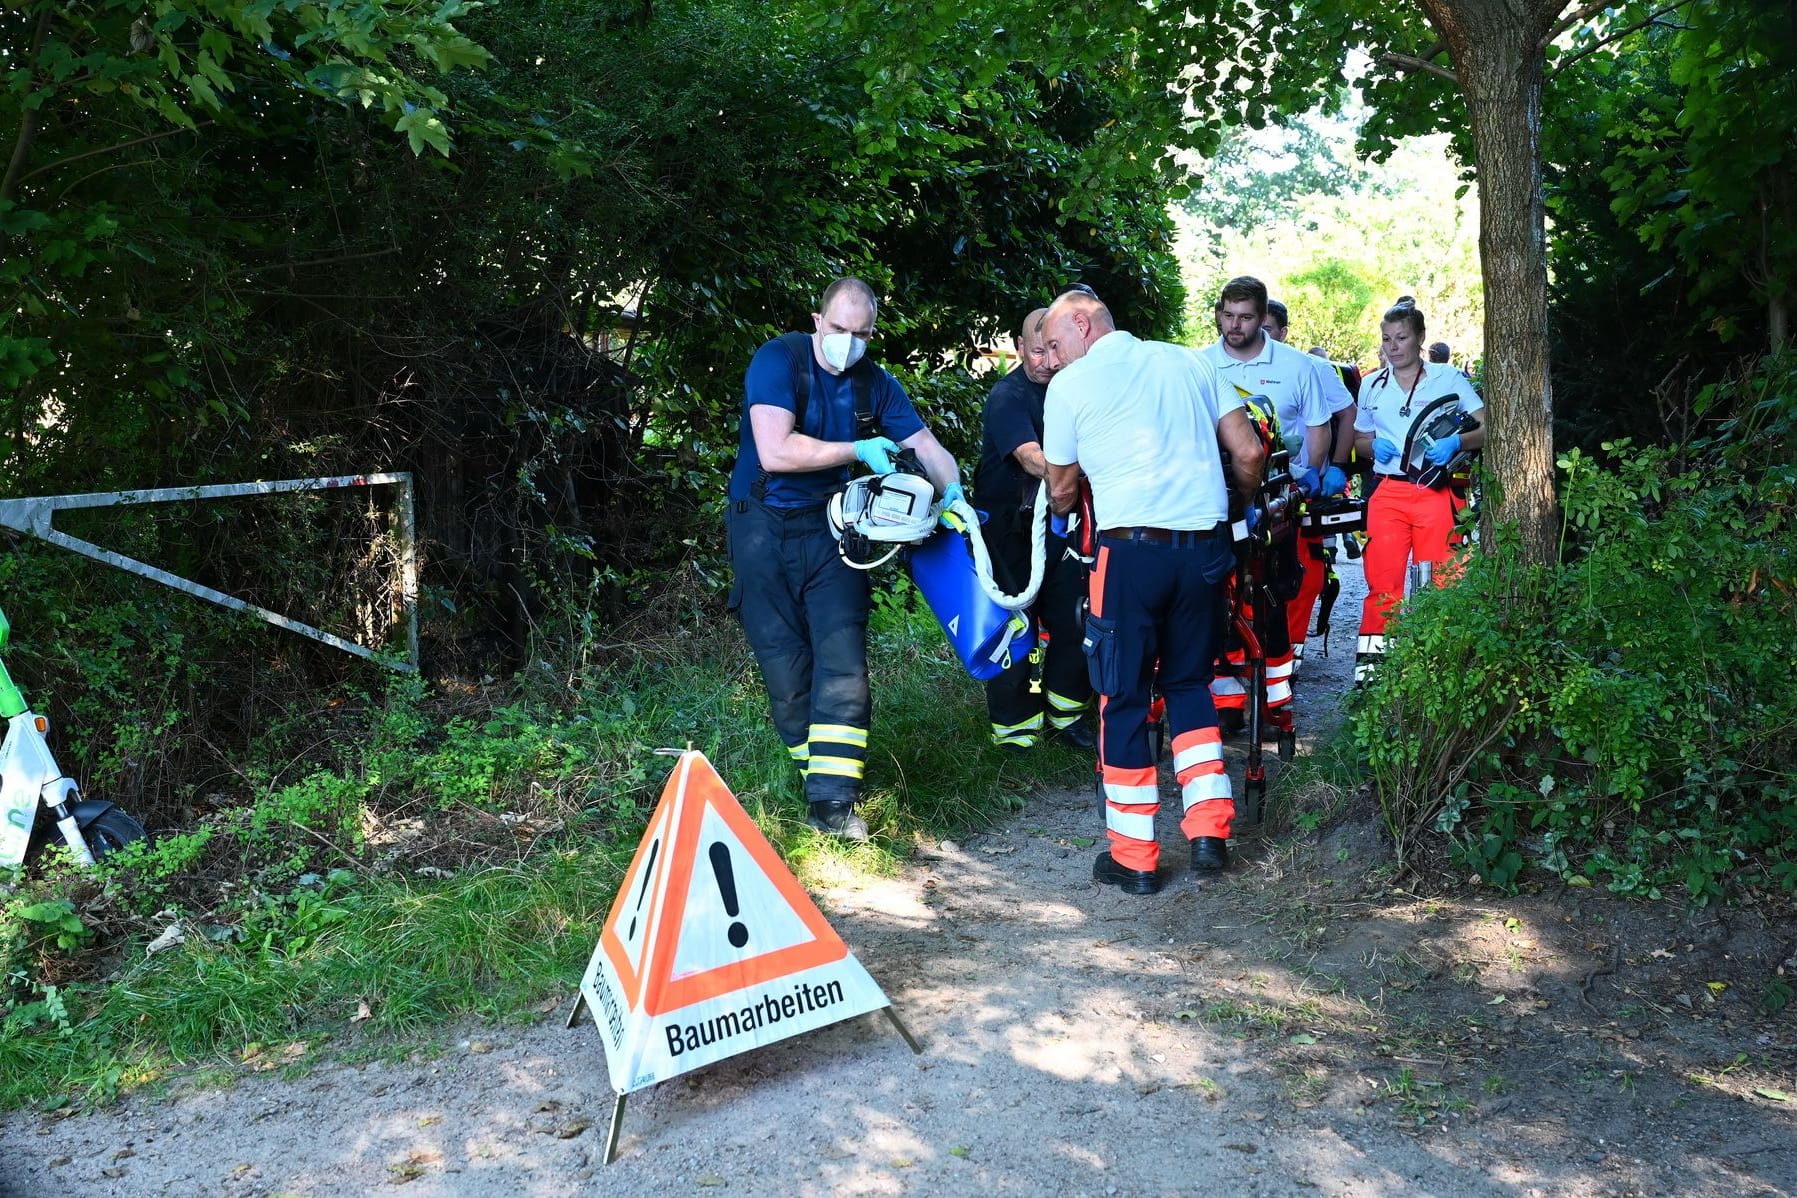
{"points": [[713, 947]]}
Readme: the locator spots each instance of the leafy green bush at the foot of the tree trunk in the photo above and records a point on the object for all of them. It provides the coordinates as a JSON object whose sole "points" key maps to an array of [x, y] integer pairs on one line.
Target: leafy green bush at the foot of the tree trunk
{"points": [[1627, 716]]}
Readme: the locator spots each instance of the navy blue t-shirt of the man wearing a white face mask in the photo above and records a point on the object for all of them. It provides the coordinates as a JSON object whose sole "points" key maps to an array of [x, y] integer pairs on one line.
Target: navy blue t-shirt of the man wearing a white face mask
{"points": [[829, 416]]}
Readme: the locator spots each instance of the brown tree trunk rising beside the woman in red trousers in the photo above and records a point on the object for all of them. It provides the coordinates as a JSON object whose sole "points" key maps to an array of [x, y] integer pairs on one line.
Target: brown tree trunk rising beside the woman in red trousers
{"points": [[1498, 58]]}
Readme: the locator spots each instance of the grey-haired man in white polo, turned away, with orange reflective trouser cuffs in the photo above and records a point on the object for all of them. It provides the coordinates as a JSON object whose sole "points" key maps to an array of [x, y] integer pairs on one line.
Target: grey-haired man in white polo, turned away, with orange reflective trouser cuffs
{"points": [[1144, 421]]}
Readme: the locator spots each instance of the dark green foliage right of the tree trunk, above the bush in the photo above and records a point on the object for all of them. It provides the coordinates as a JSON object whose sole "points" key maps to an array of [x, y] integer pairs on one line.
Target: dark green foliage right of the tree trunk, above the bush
{"points": [[1672, 242]]}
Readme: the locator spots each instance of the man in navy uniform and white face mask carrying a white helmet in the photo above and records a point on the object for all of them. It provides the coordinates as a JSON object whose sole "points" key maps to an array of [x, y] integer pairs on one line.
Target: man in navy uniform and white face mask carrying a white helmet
{"points": [[813, 405]]}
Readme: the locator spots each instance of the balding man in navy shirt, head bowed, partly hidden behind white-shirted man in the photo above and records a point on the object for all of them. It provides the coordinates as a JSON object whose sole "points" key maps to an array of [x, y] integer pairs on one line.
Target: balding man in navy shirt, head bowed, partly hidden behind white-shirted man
{"points": [[1005, 486]]}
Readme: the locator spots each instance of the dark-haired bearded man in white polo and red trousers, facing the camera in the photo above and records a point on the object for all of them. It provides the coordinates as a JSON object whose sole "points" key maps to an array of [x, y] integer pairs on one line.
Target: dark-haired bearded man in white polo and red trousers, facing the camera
{"points": [[1309, 400]]}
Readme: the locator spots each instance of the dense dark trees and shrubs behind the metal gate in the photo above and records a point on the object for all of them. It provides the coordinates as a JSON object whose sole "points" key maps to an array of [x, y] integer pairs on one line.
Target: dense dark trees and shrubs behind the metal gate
{"points": [[549, 326]]}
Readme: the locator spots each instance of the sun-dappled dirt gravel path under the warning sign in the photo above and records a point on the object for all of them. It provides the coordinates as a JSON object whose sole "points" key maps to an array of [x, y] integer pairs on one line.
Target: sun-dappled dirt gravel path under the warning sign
{"points": [[1295, 1028]]}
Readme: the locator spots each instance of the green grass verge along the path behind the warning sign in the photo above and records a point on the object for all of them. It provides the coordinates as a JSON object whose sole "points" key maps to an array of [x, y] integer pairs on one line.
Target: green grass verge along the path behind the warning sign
{"points": [[297, 955]]}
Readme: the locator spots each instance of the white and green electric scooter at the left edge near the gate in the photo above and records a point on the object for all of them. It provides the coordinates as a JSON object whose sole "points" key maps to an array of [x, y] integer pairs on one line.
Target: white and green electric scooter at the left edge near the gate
{"points": [[31, 784]]}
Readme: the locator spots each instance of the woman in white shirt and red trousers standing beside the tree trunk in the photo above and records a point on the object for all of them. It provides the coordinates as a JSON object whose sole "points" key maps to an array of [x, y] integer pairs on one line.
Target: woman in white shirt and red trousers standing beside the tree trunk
{"points": [[1404, 520]]}
